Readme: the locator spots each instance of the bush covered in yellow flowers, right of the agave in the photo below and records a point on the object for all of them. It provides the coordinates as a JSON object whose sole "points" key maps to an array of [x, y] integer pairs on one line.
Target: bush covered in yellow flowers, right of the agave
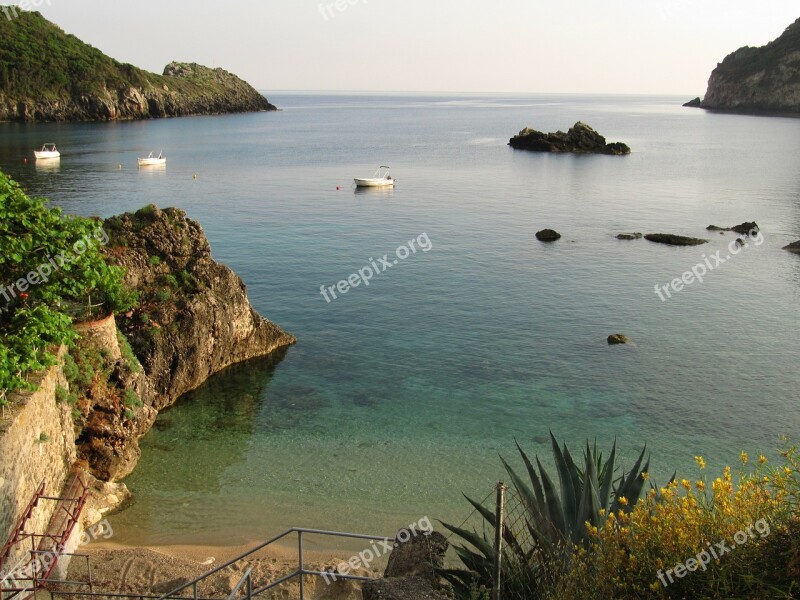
{"points": [[731, 537]]}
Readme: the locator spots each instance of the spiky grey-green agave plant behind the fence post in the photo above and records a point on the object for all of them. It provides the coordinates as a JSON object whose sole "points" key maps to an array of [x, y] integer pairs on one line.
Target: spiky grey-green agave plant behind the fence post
{"points": [[555, 521]]}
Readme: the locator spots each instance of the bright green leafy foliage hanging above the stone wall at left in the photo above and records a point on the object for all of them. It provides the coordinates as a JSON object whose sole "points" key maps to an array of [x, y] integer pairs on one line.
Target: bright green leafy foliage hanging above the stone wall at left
{"points": [[52, 272]]}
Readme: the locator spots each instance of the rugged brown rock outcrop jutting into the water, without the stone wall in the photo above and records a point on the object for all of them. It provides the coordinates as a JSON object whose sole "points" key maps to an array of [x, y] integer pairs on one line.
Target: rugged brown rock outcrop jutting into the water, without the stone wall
{"points": [[193, 320]]}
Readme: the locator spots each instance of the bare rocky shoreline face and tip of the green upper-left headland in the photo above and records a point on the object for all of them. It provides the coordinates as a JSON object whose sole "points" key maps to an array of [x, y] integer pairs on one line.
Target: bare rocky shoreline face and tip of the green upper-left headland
{"points": [[185, 89]]}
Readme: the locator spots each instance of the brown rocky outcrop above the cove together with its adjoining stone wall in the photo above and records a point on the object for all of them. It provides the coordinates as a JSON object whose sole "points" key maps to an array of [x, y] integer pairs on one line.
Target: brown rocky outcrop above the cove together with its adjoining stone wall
{"points": [[89, 410]]}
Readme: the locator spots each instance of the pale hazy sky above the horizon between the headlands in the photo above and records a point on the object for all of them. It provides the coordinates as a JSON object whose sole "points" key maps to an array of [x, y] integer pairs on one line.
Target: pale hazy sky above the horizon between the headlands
{"points": [[592, 46]]}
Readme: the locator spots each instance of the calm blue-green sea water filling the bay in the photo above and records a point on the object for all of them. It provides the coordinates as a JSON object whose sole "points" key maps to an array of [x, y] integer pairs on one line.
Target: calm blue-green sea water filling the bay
{"points": [[401, 395]]}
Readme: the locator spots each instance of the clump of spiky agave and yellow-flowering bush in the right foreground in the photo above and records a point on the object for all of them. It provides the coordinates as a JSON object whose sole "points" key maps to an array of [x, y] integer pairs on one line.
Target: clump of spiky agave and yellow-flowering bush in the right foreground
{"points": [[634, 545]]}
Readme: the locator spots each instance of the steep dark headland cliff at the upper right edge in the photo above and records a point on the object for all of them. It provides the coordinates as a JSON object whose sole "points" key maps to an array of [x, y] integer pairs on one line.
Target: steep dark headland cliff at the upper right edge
{"points": [[759, 80]]}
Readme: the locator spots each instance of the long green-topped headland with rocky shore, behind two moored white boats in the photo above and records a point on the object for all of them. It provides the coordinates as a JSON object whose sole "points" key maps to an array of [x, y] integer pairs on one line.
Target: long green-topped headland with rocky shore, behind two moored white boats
{"points": [[48, 75]]}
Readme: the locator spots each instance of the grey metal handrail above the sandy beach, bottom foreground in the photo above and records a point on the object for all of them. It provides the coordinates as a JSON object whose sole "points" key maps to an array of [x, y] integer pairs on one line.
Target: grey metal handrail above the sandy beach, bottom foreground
{"points": [[246, 580]]}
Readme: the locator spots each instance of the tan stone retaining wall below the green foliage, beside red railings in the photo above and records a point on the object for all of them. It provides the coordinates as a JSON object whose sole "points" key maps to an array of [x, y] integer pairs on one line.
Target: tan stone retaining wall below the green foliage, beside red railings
{"points": [[37, 443]]}
